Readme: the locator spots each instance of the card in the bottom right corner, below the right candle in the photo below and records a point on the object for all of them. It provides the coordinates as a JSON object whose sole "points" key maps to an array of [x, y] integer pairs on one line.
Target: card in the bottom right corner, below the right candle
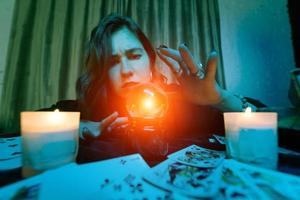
{"points": [[275, 185]]}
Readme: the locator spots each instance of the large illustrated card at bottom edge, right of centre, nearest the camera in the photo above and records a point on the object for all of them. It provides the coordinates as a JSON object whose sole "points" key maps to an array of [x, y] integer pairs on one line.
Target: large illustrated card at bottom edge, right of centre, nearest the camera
{"points": [[188, 180]]}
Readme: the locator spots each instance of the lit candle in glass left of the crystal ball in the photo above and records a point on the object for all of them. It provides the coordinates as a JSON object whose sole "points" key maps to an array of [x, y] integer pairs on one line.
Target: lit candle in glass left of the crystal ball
{"points": [[49, 139]]}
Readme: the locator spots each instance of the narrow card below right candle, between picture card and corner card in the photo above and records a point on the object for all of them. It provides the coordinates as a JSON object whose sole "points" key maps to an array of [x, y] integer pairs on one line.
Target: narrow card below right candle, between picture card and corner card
{"points": [[234, 186]]}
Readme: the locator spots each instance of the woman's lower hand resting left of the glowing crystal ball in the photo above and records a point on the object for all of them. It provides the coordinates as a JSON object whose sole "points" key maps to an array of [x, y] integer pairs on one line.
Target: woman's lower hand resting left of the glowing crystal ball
{"points": [[94, 129]]}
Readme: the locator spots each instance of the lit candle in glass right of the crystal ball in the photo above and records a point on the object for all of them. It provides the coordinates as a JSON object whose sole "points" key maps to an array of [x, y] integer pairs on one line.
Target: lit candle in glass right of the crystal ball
{"points": [[252, 137]]}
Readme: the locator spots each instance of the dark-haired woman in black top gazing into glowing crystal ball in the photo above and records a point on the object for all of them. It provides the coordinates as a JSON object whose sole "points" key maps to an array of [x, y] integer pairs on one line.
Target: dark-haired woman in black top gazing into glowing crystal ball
{"points": [[119, 56]]}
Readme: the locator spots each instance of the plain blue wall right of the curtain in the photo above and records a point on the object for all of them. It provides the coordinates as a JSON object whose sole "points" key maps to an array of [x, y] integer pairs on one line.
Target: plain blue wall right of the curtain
{"points": [[257, 49]]}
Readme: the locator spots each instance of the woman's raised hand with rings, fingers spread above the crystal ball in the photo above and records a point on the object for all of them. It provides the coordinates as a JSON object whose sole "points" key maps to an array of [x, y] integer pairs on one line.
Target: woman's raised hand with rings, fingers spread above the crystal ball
{"points": [[197, 82]]}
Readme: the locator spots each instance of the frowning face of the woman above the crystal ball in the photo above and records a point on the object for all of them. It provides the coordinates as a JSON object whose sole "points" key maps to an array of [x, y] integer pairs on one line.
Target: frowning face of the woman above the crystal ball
{"points": [[130, 62]]}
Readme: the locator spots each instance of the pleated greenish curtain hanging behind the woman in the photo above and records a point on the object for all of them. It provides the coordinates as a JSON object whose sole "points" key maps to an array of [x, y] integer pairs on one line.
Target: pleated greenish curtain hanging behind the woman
{"points": [[47, 43]]}
